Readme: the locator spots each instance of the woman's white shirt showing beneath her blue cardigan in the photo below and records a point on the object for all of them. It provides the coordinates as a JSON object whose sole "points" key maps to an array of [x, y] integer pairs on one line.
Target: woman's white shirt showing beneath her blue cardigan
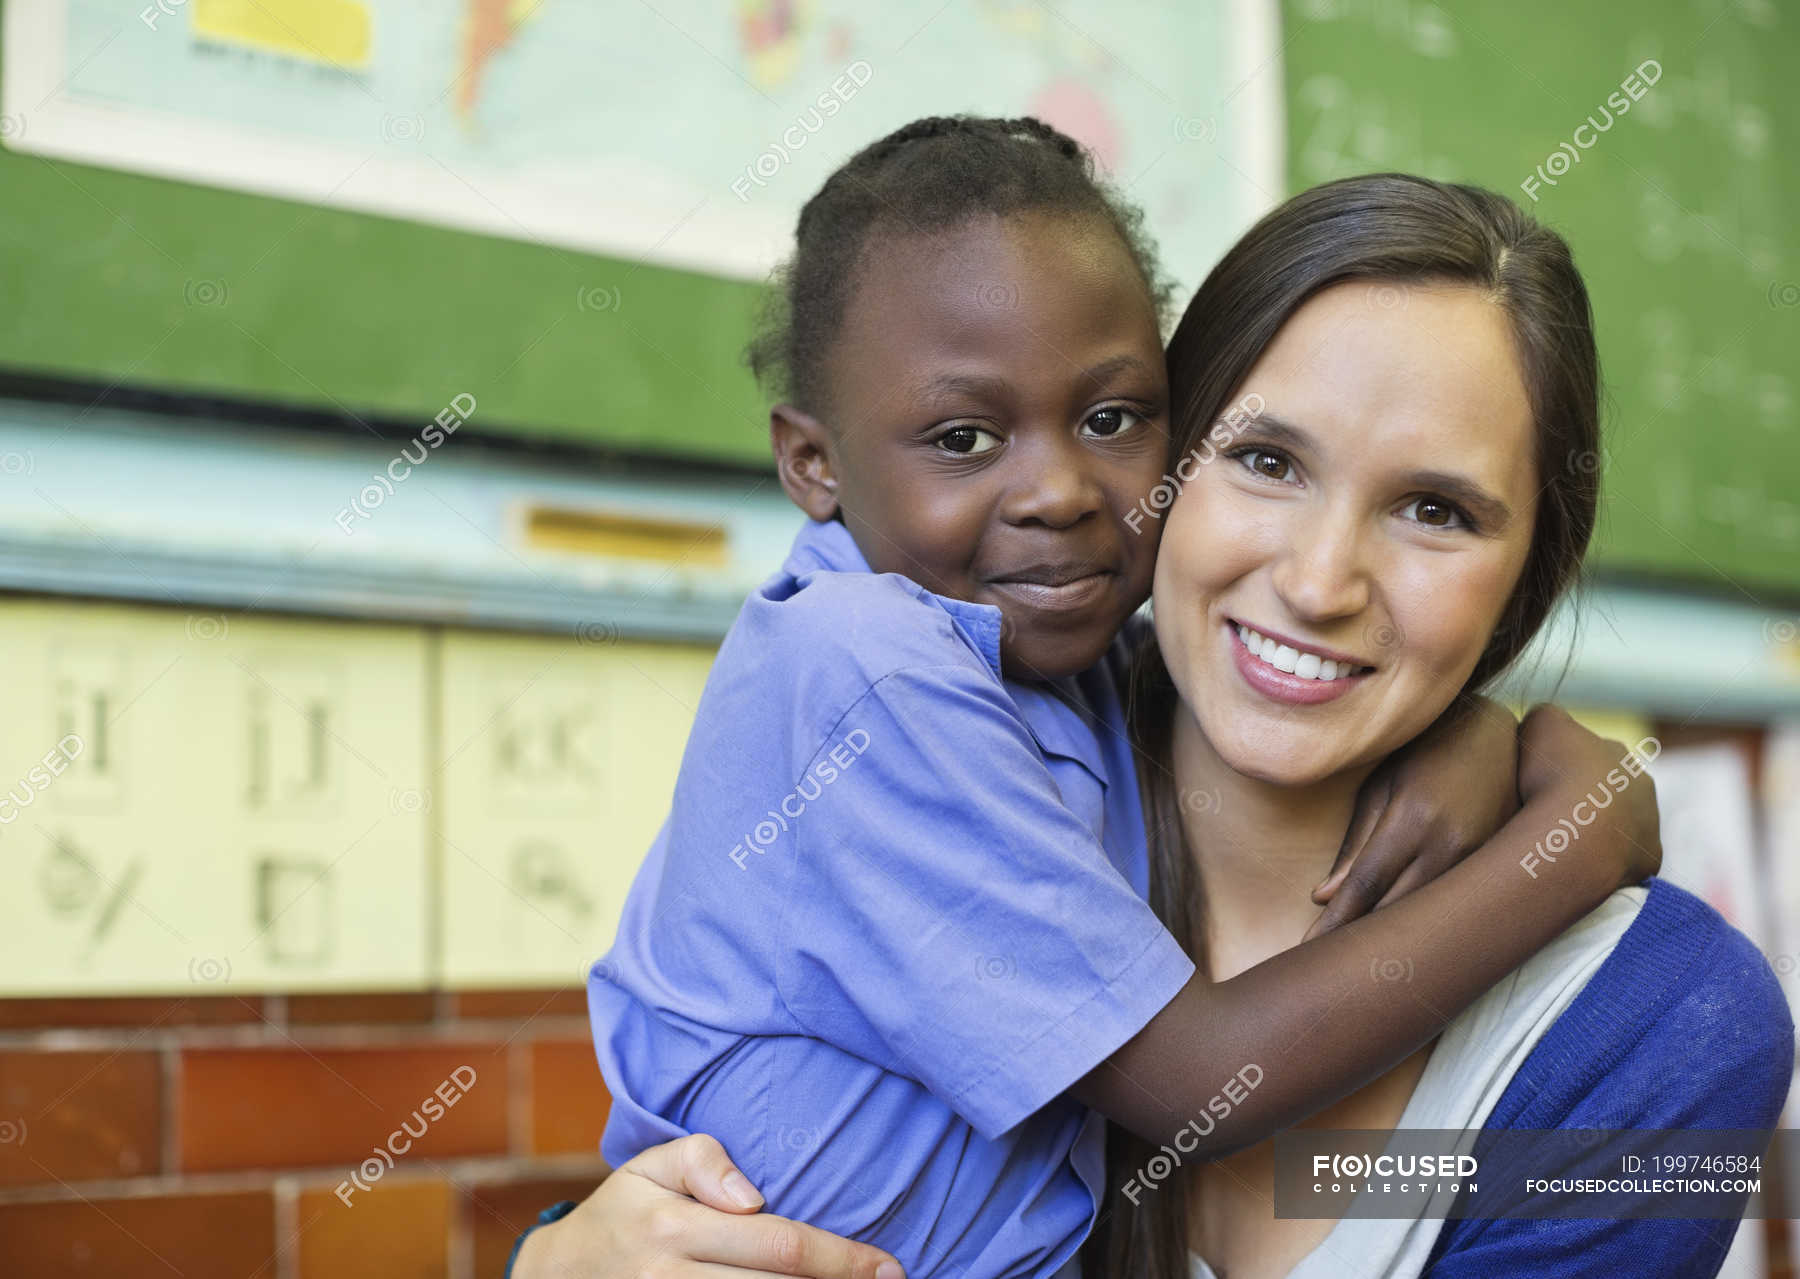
{"points": [[1466, 1077]]}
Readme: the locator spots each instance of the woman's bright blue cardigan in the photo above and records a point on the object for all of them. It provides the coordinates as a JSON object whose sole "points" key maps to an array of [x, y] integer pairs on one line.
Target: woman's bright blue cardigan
{"points": [[1682, 1028]]}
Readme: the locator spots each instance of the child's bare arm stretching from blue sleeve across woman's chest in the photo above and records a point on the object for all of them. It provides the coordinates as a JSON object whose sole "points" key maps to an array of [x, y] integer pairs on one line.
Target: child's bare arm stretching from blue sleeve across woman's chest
{"points": [[1333, 1014]]}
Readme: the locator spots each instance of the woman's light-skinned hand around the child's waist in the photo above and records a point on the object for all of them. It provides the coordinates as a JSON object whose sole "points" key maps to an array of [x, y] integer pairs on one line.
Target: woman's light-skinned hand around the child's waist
{"points": [[683, 1210]]}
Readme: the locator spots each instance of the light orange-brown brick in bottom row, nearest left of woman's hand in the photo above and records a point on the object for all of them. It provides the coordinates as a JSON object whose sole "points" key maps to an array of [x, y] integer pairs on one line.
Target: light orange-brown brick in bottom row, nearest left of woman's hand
{"points": [[395, 1230]]}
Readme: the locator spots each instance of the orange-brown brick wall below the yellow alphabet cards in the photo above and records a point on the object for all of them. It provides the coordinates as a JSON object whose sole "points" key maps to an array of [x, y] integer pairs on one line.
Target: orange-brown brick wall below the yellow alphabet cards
{"points": [[210, 1138]]}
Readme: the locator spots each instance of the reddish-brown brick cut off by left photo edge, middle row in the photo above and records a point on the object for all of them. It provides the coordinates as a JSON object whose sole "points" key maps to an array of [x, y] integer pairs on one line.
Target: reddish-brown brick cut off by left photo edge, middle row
{"points": [[80, 1116]]}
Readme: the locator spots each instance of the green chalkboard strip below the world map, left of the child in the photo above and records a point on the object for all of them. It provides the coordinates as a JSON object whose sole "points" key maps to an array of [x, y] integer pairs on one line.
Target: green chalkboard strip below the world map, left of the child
{"points": [[165, 285]]}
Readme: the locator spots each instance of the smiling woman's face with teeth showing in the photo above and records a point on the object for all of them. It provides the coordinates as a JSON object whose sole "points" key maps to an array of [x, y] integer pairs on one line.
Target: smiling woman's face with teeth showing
{"points": [[1362, 533]]}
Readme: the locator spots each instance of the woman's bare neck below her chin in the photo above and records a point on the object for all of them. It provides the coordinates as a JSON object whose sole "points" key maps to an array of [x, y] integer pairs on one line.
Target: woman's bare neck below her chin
{"points": [[1259, 848]]}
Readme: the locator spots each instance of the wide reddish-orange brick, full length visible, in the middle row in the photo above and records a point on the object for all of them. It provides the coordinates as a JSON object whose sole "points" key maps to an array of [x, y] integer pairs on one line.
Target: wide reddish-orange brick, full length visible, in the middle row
{"points": [[294, 1107]]}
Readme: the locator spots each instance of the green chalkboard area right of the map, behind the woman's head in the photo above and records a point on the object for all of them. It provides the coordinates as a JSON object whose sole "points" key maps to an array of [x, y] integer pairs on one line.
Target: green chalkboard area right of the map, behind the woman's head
{"points": [[1682, 213]]}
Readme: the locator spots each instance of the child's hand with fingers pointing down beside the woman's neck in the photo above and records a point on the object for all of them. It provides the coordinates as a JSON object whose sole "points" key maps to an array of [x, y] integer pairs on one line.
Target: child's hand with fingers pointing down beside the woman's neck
{"points": [[1425, 810]]}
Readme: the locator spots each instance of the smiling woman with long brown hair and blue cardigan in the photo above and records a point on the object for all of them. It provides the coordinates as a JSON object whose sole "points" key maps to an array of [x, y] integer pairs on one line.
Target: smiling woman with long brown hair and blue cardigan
{"points": [[1412, 499]]}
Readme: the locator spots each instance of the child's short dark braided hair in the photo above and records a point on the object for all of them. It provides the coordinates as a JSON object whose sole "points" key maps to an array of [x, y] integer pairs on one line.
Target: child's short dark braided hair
{"points": [[926, 177]]}
